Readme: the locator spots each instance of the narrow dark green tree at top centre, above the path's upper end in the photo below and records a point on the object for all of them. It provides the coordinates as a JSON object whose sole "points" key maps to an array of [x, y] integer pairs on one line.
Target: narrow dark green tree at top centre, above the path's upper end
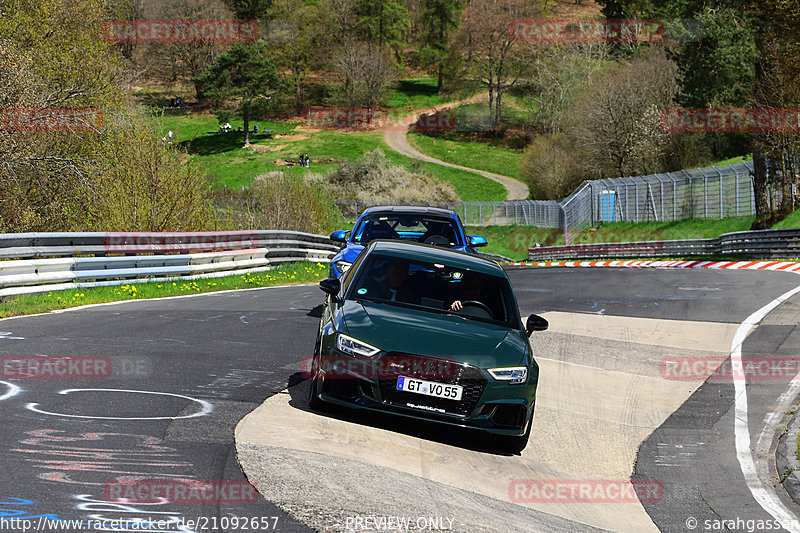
{"points": [[438, 19]]}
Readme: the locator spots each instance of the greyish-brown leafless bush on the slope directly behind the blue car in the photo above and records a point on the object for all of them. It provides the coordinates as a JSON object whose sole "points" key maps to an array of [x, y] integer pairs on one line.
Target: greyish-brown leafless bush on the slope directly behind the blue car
{"points": [[372, 178]]}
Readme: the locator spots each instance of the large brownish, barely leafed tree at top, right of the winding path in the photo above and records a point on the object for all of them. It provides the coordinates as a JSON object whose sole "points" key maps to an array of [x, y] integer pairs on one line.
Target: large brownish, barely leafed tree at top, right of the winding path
{"points": [[489, 48]]}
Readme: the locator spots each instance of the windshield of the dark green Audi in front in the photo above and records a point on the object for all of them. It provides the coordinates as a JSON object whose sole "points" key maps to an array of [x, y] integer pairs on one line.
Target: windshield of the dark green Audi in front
{"points": [[435, 287]]}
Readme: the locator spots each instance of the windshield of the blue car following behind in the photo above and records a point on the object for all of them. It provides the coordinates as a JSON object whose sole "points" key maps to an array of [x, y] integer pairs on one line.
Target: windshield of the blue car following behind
{"points": [[429, 230]]}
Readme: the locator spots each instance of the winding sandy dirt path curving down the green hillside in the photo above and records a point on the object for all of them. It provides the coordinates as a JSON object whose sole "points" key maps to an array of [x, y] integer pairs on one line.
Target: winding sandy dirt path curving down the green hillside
{"points": [[396, 136]]}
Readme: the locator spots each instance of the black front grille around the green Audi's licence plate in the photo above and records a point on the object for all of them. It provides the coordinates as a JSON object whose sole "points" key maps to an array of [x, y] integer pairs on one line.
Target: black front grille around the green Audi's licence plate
{"points": [[468, 376]]}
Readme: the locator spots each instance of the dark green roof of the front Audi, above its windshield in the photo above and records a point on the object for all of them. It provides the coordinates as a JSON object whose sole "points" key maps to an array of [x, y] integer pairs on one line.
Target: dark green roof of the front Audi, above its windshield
{"points": [[412, 251]]}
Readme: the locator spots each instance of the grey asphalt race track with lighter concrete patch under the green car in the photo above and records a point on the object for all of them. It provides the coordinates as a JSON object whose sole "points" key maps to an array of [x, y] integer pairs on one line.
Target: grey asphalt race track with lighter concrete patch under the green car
{"points": [[605, 411]]}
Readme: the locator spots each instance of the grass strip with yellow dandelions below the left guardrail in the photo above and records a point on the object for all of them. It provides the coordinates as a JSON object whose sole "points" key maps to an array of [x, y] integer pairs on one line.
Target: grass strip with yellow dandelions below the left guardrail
{"points": [[44, 302]]}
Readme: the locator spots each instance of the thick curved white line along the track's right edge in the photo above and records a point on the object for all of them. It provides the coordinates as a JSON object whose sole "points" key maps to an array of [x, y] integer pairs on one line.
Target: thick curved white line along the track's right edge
{"points": [[765, 497]]}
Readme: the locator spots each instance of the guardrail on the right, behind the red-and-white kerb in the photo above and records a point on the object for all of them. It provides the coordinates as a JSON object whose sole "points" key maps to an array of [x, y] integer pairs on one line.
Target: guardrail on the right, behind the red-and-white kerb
{"points": [[763, 244]]}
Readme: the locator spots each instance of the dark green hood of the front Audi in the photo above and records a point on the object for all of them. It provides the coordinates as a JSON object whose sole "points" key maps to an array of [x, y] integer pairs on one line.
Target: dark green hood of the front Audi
{"points": [[394, 328]]}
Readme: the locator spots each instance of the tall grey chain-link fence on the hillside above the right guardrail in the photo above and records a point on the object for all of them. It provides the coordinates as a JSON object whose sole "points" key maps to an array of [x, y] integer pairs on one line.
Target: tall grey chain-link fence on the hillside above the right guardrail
{"points": [[710, 192]]}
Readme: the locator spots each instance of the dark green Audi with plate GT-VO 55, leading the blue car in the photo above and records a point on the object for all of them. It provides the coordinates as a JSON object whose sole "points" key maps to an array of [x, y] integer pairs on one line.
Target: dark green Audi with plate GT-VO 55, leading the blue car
{"points": [[428, 333]]}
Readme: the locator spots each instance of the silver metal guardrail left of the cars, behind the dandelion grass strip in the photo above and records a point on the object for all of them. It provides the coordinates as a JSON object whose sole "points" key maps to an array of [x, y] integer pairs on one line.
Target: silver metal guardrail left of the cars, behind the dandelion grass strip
{"points": [[38, 262]]}
